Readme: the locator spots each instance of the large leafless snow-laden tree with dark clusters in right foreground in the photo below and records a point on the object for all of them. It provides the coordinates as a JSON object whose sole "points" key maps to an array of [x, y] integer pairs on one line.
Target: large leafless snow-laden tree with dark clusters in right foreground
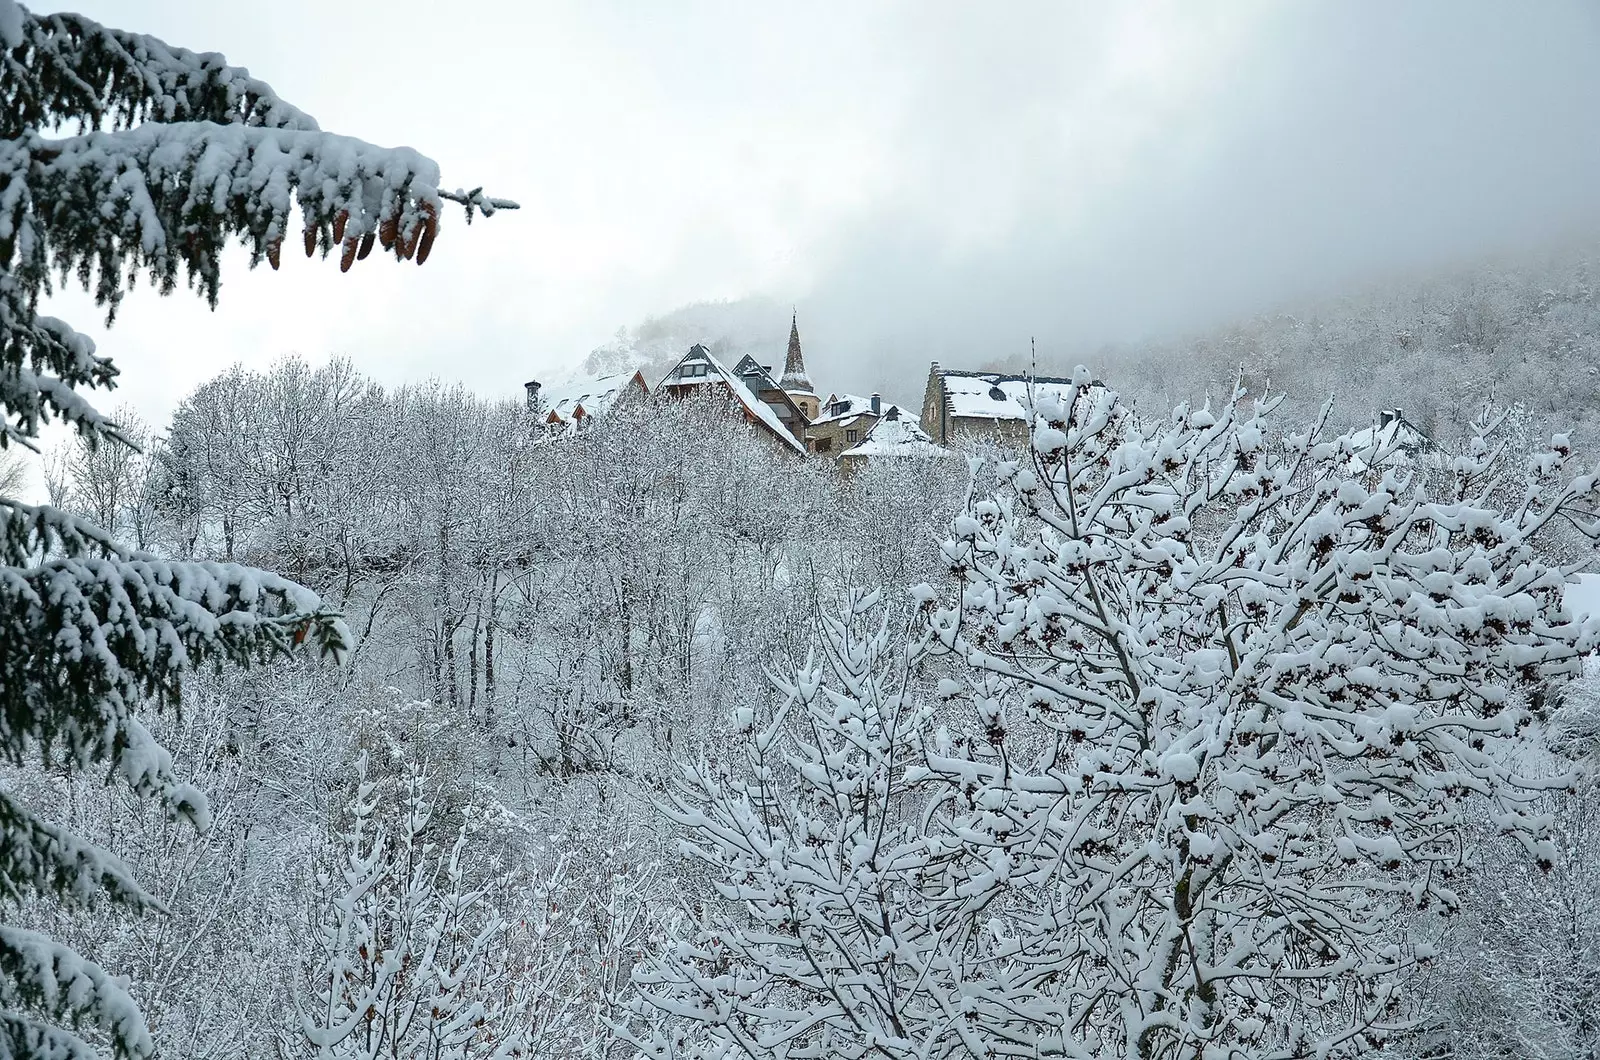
{"points": [[1218, 717]]}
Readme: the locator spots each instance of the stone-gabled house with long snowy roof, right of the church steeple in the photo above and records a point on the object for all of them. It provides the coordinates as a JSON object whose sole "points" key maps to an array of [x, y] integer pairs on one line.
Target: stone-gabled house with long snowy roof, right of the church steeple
{"points": [[962, 408]]}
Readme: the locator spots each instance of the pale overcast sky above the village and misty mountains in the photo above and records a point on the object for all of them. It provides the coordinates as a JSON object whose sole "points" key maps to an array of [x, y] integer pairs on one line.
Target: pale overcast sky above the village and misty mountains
{"points": [[922, 180]]}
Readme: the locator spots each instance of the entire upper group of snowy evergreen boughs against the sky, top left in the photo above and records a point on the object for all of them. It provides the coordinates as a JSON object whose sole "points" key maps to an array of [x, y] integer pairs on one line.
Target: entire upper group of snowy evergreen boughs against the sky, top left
{"points": [[175, 156]]}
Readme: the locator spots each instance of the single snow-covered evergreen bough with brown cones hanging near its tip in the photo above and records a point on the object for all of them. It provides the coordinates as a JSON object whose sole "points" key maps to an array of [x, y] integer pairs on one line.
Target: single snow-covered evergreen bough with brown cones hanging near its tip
{"points": [[166, 198]]}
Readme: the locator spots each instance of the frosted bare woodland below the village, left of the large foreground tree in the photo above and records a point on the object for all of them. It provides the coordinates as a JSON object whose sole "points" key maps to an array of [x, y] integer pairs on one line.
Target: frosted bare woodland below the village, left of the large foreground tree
{"points": [[543, 633]]}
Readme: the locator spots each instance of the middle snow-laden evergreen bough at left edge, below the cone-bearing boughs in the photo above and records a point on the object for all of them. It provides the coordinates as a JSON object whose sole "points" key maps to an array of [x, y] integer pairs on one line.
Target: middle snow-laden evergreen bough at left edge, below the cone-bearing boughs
{"points": [[103, 630]]}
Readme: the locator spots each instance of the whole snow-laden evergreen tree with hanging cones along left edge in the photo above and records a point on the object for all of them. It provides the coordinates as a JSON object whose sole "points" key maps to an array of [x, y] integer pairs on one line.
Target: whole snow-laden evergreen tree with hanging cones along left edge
{"points": [[119, 156]]}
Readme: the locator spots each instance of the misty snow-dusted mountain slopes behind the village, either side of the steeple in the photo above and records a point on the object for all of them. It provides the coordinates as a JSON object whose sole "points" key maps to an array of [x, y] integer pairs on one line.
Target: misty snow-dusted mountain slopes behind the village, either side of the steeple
{"points": [[1505, 332]]}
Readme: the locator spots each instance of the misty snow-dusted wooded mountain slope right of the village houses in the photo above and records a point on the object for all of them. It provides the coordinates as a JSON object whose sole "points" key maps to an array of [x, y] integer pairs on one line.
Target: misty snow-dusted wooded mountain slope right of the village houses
{"points": [[1508, 334]]}
